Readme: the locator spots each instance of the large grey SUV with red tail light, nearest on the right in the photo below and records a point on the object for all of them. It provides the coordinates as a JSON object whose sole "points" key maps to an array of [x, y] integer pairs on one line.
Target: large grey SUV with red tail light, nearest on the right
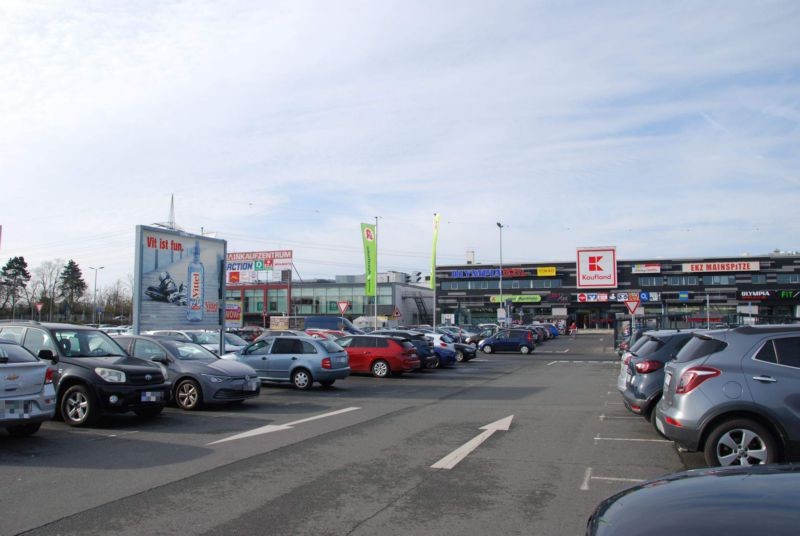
{"points": [[735, 395]]}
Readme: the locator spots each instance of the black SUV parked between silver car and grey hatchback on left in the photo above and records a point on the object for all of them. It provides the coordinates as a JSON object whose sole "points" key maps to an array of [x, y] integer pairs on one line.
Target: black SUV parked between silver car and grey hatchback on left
{"points": [[95, 375]]}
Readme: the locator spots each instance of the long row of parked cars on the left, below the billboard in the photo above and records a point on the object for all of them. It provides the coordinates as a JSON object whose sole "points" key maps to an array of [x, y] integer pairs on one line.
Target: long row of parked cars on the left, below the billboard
{"points": [[77, 373]]}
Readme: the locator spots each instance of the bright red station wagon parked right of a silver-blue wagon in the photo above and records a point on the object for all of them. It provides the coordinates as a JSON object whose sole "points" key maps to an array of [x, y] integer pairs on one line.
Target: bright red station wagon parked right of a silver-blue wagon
{"points": [[379, 355]]}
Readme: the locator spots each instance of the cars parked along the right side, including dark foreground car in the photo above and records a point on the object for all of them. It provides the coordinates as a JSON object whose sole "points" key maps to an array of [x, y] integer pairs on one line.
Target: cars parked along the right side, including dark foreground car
{"points": [[734, 395]]}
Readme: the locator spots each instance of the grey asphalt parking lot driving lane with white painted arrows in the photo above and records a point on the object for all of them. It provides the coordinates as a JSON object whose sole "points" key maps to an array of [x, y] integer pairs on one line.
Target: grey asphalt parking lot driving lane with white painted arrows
{"points": [[400, 455]]}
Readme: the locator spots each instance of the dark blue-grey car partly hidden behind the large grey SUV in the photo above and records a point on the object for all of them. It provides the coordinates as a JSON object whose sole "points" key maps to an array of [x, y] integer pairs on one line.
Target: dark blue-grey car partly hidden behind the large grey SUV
{"points": [[644, 379]]}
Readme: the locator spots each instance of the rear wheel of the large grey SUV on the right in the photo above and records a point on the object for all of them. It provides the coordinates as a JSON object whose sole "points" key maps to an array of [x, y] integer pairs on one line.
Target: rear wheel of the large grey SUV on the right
{"points": [[740, 442]]}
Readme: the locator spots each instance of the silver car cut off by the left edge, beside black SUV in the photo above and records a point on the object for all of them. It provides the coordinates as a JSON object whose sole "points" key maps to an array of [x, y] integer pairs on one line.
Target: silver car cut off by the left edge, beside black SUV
{"points": [[27, 395]]}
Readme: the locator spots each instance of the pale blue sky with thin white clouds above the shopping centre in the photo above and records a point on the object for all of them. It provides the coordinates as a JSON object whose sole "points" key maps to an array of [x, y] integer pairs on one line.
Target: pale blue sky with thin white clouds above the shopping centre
{"points": [[666, 129]]}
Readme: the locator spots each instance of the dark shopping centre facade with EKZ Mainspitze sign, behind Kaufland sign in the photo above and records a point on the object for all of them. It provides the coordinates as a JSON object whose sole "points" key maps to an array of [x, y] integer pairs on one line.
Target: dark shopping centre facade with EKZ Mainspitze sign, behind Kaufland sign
{"points": [[677, 292]]}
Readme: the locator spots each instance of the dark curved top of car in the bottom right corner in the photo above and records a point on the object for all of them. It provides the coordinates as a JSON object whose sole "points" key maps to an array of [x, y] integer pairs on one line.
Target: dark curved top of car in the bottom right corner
{"points": [[731, 501]]}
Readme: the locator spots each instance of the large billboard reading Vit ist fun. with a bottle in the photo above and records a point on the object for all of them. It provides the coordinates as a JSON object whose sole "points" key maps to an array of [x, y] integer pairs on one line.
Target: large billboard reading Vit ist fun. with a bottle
{"points": [[177, 284]]}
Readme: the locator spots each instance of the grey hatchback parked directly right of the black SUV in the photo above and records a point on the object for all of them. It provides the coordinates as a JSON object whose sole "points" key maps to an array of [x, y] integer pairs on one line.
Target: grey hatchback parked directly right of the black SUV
{"points": [[198, 376]]}
